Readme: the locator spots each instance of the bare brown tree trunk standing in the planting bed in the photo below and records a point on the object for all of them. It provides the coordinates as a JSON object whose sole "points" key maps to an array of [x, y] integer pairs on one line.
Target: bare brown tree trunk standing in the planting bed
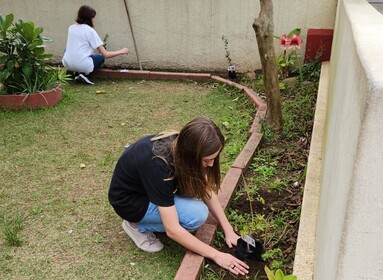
{"points": [[264, 31]]}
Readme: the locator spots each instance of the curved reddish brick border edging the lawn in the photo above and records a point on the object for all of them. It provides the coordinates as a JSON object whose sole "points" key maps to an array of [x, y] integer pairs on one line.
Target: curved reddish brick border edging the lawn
{"points": [[191, 264]]}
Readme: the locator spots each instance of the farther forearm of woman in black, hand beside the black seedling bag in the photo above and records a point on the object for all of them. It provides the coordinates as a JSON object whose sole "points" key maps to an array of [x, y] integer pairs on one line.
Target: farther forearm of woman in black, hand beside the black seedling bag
{"points": [[216, 210]]}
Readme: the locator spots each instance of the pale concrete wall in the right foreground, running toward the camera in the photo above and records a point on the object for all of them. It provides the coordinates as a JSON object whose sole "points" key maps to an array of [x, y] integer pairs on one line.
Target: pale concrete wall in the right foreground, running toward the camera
{"points": [[350, 223]]}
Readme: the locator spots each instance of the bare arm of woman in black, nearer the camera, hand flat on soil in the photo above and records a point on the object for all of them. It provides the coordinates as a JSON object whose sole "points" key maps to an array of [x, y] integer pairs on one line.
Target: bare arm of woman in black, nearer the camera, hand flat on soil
{"points": [[174, 231]]}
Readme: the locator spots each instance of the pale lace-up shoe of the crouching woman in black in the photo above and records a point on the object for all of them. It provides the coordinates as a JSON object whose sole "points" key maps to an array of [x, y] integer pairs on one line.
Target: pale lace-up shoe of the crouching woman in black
{"points": [[146, 241]]}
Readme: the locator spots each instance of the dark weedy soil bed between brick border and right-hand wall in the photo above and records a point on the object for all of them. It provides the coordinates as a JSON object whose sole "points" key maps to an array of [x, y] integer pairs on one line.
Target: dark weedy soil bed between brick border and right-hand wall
{"points": [[280, 206]]}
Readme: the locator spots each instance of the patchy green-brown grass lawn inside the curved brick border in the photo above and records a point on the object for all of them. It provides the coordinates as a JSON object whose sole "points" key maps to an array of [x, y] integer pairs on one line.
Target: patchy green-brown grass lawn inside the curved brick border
{"points": [[56, 165]]}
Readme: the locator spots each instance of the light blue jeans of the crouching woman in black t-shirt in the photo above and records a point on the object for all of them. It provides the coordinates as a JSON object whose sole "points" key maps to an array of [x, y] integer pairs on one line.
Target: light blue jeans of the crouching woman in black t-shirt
{"points": [[192, 214]]}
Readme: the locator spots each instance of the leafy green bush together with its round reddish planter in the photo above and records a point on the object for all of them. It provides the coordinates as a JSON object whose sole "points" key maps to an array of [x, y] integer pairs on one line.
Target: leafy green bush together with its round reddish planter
{"points": [[26, 80]]}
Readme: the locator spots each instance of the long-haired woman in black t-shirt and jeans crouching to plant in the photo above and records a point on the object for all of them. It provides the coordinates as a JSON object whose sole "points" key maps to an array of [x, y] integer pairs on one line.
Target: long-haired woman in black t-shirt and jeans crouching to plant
{"points": [[159, 182]]}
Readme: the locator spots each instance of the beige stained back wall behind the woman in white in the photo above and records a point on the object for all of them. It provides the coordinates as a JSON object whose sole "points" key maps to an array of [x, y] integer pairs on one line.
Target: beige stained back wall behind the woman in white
{"points": [[175, 34]]}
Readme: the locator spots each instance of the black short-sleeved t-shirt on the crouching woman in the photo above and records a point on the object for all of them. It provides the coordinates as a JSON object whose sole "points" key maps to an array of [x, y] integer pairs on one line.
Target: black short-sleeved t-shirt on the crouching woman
{"points": [[140, 177]]}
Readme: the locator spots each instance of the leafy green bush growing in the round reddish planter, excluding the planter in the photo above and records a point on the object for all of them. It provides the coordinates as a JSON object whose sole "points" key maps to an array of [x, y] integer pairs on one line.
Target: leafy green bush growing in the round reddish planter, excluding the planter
{"points": [[23, 61]]}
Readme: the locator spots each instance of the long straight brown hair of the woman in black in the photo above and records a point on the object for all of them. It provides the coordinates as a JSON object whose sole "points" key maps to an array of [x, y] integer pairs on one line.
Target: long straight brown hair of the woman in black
{"points": [[197, 139]]}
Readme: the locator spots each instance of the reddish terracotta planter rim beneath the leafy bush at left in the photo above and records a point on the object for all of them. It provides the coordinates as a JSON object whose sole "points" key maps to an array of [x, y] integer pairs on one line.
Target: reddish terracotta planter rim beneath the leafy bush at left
{"points": [[38, 100]]}
